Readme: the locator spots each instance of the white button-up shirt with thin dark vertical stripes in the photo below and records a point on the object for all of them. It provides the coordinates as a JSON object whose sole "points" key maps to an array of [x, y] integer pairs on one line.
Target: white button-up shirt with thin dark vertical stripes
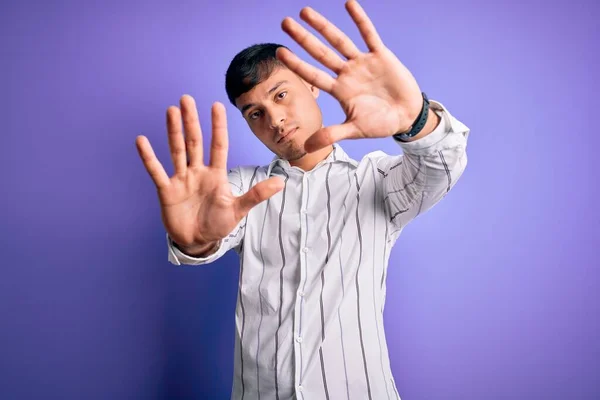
{"points": [[313, 262]]}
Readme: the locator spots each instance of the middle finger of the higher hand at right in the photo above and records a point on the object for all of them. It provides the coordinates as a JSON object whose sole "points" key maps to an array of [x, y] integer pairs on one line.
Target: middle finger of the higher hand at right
{"points": [[313, 45]]}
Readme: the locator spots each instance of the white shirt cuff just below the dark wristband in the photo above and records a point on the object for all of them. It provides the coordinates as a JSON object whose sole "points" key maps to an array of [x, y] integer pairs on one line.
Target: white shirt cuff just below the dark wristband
{"points": [[432, 142]]}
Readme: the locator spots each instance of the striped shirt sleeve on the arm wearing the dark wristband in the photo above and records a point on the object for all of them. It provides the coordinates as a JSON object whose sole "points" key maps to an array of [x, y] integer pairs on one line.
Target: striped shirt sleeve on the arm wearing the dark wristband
{"points": [[429, 167]]}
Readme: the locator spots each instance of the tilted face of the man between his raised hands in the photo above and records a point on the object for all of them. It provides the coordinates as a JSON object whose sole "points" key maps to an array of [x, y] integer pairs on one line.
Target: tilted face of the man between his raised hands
{"points": [[282, 105]]}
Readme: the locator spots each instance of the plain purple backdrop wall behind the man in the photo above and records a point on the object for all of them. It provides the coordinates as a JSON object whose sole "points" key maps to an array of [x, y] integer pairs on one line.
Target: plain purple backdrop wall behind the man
{"points": [[493, 294]]}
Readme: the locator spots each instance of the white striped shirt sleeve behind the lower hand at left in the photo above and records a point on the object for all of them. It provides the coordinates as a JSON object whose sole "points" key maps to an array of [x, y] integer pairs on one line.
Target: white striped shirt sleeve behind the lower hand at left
{"points": [[232, 241]]}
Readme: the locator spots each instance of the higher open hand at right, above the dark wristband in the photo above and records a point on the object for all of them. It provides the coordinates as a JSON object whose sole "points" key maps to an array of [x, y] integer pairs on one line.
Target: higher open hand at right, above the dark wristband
{"points": [[378, 94]]}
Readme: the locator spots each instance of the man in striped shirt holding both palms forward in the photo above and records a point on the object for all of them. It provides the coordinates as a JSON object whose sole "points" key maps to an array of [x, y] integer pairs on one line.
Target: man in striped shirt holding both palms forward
{"points": [[313, 228]]}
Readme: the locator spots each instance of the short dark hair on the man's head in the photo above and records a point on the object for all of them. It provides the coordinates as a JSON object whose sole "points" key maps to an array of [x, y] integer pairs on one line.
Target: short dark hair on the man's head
{"points": [[249, 67]]}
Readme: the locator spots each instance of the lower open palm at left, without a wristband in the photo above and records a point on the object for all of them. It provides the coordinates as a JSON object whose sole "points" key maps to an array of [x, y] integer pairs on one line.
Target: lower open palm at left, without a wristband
{"points": [[197, 205]]}
